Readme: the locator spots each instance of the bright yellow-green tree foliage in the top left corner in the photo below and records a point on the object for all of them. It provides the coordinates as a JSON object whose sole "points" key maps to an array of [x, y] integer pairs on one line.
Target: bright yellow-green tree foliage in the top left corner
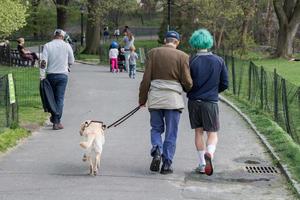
{"points": [[12, 17]]}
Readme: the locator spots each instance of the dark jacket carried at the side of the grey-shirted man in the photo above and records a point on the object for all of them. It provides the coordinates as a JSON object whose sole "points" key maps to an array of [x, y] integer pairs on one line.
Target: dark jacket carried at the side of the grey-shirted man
{"points": [[47, 97]]}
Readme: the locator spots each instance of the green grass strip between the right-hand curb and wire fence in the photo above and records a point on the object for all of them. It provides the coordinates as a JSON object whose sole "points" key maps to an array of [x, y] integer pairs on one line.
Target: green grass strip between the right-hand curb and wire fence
{"points": [[287, 150]]}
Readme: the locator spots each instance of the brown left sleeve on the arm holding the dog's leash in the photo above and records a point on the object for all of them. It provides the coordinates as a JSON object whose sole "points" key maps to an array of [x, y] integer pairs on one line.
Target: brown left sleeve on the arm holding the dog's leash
{"points": [[145, 84]]}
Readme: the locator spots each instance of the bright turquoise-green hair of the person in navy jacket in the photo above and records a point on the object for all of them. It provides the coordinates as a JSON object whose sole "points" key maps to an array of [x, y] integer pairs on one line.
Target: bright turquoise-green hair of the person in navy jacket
{"points": [[201, 39]]}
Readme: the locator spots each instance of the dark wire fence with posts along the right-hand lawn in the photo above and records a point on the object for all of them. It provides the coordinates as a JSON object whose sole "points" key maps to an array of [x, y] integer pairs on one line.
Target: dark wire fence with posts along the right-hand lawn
{"points": [[267, 91]]}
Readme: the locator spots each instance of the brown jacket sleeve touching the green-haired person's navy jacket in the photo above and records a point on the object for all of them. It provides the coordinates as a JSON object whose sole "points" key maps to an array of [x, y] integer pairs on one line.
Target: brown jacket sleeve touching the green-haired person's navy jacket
{"points": [[185, 75]]}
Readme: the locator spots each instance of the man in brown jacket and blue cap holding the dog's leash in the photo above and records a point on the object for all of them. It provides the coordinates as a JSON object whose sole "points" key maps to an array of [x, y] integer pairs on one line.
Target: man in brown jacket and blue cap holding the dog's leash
{"points": [[166, 76]]}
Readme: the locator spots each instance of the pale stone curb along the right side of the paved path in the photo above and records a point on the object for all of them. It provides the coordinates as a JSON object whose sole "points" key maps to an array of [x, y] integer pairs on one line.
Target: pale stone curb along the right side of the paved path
{"points": [[283, 167]]}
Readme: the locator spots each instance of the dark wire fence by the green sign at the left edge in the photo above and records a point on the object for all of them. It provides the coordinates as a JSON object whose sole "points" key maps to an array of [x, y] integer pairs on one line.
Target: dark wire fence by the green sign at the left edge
{"points": [[8, 110]]}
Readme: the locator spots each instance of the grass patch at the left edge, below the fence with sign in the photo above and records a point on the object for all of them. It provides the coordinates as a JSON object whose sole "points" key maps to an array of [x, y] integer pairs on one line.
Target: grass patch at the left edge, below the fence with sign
{"points": [[10, 137]]}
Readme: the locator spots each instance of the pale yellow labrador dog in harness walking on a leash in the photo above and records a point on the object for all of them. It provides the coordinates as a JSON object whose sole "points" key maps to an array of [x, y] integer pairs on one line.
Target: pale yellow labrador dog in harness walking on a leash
{"points": [[93, 133]]}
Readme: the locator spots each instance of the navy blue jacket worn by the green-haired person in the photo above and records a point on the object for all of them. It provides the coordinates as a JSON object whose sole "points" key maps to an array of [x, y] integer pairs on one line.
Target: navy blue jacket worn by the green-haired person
{"points": [[210, 77]]}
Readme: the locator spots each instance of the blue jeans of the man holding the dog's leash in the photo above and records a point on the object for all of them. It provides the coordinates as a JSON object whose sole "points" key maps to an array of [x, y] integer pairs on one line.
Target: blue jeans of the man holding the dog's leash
{"points": [[161, 119]]}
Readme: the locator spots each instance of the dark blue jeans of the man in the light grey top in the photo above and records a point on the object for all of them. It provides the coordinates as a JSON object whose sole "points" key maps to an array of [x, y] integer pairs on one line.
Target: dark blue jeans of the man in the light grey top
{"points": [[58, 83]]}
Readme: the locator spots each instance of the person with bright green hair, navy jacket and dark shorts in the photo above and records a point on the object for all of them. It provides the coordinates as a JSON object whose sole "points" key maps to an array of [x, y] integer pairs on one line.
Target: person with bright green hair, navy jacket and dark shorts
{"points": [[210, 77]]}
